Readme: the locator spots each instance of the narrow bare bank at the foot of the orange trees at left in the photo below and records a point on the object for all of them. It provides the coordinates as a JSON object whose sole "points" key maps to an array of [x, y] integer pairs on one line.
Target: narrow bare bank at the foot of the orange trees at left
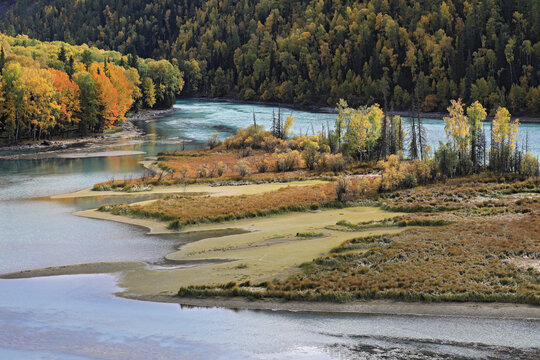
{"points": [[32, 150]]}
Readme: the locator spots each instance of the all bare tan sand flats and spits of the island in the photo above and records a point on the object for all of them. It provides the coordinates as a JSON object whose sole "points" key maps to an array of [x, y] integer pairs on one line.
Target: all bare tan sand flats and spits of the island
{"points": [[255, 249]]}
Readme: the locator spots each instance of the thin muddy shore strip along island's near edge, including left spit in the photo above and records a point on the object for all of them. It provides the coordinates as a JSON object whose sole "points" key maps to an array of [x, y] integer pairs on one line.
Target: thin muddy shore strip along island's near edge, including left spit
{"points": [[493, 310]]}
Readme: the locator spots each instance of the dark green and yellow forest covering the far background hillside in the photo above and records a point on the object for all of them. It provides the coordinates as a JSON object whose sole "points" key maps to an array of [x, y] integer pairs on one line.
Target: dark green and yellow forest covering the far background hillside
{"points": [[400, 54]]}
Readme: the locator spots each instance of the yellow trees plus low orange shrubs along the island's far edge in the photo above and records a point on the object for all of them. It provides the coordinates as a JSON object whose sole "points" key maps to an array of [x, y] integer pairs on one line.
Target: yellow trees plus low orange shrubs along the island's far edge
{"points": [[370, 137]]}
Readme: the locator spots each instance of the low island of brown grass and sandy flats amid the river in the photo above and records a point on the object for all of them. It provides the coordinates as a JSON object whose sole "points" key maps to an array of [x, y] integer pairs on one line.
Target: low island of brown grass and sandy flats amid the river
{"points": [[280, 235]]}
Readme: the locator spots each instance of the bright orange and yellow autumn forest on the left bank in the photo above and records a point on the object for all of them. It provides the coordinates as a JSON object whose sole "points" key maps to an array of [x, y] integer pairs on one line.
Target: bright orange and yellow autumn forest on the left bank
{"points": [[53, 88]]}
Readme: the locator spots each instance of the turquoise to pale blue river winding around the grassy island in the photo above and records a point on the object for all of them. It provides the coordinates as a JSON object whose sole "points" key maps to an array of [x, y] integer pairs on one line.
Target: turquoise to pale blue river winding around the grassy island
{"points": [[77, 317]]}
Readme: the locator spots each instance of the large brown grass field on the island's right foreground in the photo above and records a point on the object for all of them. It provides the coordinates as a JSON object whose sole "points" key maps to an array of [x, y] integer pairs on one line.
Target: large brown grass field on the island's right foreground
{"points": [[471, 259]]}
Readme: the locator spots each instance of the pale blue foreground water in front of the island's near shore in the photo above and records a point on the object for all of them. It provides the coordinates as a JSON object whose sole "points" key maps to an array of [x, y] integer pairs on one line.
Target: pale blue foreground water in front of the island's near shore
{"points": [[80, 311]]}
